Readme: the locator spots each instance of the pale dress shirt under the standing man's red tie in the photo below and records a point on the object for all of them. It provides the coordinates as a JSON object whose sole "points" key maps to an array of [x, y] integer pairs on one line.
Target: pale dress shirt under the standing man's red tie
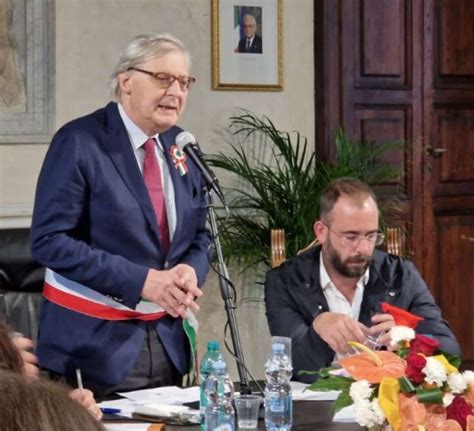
{"points": [[137, 139]]}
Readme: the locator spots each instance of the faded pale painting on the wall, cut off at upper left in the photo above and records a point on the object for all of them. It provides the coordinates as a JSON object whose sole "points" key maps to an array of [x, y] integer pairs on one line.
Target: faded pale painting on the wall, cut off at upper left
{"points": [[26, 70]]}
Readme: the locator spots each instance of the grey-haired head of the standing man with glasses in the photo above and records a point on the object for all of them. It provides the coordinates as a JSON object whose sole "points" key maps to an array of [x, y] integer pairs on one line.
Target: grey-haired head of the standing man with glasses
{"points": [[151, 80]]}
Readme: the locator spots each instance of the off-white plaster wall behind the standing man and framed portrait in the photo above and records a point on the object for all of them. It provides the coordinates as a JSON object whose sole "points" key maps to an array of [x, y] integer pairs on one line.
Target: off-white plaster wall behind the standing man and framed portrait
{"points": [[89, 37]]}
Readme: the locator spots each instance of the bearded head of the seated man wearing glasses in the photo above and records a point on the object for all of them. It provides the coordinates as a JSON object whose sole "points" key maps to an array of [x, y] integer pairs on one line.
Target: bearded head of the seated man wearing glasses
{"points": [[348, 226]]}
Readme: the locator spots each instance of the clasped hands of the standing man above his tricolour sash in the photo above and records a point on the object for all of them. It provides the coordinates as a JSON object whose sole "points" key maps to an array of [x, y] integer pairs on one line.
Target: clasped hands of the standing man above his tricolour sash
{"points": [[174, 289]]}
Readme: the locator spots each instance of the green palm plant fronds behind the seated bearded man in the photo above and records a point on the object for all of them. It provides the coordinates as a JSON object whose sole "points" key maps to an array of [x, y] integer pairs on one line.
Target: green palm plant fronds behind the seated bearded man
{"points": [[283, 191]]}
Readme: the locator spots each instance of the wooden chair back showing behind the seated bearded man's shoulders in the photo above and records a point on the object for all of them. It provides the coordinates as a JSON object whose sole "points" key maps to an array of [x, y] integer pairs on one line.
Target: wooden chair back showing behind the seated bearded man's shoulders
{"points": [[395, 242]]}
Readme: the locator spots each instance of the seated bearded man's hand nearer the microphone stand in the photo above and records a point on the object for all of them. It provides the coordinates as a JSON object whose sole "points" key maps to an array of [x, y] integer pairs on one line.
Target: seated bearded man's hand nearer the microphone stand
{"points": [[338, 329]]}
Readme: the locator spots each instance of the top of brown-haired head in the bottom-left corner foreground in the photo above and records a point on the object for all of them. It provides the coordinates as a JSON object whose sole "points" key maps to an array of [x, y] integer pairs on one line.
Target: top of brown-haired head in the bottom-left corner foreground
{"points": [[40, 405]]}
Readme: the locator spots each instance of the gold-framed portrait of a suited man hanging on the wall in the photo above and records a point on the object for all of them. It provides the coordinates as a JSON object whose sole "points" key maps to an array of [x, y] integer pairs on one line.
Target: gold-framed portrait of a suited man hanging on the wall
{"points": [[247, 45]]}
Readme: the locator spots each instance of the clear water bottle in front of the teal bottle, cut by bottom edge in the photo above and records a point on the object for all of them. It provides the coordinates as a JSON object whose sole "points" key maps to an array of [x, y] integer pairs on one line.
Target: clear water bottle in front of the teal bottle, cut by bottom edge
{"points": [[220, 414]]}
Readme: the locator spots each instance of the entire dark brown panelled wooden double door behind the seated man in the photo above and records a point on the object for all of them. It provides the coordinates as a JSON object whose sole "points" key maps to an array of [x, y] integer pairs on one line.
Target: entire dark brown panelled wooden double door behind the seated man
{"points": [[404, 69]]}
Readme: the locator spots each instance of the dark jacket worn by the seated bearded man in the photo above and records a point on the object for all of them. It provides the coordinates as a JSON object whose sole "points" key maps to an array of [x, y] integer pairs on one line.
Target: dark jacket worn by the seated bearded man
{"points": [[293, 299]]}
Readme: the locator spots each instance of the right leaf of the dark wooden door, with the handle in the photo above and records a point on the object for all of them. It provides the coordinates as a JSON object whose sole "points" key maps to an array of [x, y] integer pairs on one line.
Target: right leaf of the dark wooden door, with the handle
{"points": [[448, 162]]}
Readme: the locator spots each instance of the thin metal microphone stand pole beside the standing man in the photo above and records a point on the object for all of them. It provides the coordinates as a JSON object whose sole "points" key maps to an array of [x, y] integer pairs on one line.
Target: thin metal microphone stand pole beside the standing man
{"points": [[227, 297]]}
